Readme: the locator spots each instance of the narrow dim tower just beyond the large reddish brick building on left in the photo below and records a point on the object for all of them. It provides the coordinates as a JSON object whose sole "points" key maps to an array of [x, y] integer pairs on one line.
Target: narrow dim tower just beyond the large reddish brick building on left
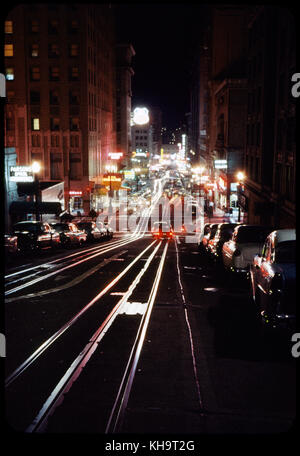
{"points": [[124, 73]]}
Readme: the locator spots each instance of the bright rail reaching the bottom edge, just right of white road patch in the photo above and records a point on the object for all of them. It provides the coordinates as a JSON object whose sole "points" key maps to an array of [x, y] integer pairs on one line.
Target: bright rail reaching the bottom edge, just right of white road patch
{"points": [[117, 415]]}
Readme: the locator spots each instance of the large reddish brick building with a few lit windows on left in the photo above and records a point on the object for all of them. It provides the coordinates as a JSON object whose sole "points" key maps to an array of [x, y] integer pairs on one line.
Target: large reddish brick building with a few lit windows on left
{"points": [[60, 72]]}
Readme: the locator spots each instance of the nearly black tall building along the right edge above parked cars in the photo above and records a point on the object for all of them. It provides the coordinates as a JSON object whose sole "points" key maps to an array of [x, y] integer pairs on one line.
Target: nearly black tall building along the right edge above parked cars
{"points": [[270, 152]]}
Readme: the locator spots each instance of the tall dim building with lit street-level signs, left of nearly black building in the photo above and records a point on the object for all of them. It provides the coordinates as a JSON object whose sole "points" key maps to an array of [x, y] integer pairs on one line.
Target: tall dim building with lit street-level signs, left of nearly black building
{"points": [[227, 99]]}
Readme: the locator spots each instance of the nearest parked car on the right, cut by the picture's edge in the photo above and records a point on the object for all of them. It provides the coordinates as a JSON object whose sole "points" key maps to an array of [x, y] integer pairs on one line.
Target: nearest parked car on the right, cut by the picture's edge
{"points": [[273, 279]]}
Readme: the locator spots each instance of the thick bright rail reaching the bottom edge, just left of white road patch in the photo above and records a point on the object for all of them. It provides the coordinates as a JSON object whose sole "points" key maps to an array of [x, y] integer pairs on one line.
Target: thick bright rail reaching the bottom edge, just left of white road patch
{"points": [[73, 372]]}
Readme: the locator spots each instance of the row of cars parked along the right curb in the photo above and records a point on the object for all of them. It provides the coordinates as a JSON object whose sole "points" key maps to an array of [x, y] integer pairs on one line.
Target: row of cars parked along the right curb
{"points": [[265, 257]]}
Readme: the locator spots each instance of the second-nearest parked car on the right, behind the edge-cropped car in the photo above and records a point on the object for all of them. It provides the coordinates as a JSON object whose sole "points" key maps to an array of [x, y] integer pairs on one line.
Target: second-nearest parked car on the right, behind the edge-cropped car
{"points": [[246, 241]]}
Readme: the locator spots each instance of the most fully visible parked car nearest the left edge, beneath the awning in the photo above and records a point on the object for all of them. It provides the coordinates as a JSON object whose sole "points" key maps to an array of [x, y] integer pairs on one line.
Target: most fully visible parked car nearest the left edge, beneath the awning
{"points": [[35, 235]]}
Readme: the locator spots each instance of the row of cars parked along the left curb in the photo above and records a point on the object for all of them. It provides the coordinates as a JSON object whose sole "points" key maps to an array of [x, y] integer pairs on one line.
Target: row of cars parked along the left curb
{"points": [[29, 236]]}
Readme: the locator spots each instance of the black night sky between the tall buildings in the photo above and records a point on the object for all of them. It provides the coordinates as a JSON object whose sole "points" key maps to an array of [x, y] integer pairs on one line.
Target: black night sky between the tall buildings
{"points": [[163, 36]]}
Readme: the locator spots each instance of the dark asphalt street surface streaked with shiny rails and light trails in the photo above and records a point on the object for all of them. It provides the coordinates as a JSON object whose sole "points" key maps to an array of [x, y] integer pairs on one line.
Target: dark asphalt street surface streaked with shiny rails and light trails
{"points": [[139, 336]]}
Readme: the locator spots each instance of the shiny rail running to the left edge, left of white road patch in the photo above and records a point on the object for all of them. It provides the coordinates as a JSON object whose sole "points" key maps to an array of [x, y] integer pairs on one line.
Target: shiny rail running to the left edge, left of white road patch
{"points": [[43, 347]]}
